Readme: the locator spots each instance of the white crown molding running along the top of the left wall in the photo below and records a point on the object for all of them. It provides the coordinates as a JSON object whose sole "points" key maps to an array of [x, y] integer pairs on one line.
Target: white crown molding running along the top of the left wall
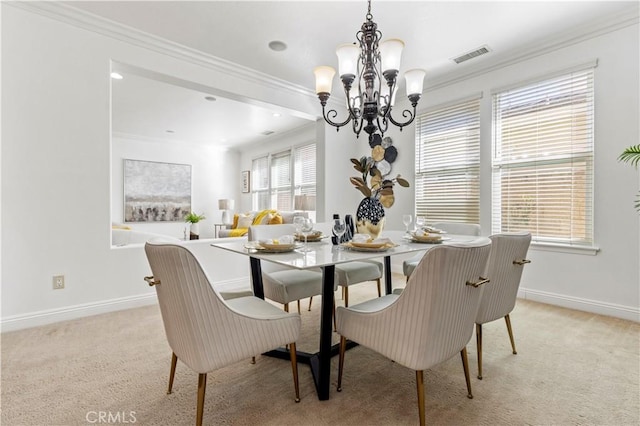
{"points": [[97, 24]]}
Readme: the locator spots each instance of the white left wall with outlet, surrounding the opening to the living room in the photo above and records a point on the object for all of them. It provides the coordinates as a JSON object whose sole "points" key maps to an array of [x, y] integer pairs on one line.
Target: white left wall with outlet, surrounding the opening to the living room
{"points": [[56, 170]]}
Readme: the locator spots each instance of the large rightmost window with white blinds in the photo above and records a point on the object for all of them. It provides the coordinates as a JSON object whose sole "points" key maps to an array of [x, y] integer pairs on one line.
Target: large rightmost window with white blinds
{"points": [[542, 169]]}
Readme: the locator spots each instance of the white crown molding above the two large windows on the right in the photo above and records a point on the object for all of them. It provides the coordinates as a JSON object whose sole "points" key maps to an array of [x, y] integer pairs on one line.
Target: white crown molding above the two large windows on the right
{"points": [[578, 34]]}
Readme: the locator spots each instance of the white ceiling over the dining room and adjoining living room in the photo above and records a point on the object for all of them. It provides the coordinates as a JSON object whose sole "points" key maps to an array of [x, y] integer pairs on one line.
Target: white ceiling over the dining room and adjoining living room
{"points": [[239, 31]]}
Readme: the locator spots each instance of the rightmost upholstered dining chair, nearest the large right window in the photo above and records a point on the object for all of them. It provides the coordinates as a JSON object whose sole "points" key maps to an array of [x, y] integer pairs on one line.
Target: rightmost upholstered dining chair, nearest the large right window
{"points": [[504, 269]]}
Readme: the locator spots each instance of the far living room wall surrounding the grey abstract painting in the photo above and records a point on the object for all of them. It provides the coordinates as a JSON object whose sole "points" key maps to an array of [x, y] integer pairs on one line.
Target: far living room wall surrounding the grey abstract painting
{"points": [[215, 174]]}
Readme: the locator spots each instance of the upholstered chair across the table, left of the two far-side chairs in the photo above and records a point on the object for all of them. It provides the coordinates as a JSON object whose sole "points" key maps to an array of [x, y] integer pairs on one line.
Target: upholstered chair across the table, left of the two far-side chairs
{"points": [[281, 284]]}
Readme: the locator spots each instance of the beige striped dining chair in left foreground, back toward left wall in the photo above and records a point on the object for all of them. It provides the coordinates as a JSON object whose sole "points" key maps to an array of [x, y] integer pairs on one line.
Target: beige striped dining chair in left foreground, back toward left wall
{"points": [[203, 330]]}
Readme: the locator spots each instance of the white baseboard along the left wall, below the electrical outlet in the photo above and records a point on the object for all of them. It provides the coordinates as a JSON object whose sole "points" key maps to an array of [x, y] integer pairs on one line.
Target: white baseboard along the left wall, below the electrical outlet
{"points": [[35, 319]]}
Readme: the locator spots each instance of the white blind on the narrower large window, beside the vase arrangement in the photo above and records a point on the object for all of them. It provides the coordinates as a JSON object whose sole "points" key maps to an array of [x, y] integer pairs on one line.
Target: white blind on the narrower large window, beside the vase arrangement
{"points": [[447, 184]]}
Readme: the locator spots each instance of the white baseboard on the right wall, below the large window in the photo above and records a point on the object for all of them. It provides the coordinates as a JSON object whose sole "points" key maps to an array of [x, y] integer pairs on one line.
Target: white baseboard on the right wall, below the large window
{"points": [[601, 308]]}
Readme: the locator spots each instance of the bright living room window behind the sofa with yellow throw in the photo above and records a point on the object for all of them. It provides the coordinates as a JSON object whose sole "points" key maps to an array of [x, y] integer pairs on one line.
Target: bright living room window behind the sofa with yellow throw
{"points": [[278, 177]]}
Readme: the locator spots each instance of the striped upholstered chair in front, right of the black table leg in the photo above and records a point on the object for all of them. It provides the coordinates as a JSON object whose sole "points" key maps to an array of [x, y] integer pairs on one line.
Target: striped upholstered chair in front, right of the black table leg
{"points": [[430, 321]]}
